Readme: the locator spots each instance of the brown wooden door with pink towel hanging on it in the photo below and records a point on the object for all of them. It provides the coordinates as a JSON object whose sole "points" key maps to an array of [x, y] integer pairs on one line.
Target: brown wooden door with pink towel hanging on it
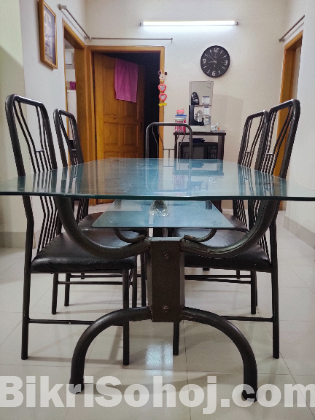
{"points": [[119, 124]]}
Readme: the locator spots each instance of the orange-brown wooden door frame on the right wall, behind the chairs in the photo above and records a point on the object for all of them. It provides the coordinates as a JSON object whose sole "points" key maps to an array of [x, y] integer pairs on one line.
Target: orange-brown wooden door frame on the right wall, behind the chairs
{"points": [[287, 86]]}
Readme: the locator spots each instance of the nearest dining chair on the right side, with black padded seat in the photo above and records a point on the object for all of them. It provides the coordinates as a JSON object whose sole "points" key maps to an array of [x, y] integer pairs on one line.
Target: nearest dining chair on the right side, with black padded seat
{"points": [[276, 148]]}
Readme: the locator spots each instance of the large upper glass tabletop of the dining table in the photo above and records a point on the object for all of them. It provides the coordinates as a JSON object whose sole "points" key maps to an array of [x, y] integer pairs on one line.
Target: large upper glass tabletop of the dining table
{"points": [[157, 179]]}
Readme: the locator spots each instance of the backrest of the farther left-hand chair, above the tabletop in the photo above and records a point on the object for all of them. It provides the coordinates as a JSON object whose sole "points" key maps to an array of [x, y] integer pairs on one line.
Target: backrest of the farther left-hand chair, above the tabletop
{"points": [[72, 139]]}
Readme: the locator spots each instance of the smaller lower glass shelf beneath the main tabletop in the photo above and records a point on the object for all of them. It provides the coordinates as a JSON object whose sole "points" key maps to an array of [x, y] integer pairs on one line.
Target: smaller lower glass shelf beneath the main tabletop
{"points": [[162, 214]]}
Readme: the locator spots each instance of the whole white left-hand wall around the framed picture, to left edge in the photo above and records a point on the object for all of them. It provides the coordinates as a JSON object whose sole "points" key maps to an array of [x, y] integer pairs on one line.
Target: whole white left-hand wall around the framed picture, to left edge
{"points": [[22, 72]]}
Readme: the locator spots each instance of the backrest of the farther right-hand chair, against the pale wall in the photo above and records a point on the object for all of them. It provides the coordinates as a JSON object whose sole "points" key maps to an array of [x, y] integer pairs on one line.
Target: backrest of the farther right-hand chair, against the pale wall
{"points": [[250, 139]]}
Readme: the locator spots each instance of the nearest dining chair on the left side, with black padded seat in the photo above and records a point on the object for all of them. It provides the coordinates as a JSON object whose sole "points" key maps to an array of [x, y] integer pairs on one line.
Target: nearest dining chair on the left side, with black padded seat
{"points": [[56, 253]]}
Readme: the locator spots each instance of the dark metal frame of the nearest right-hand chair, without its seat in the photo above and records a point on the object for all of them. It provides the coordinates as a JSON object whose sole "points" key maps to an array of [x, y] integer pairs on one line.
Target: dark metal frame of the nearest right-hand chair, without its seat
{"points": [[267, 157]]}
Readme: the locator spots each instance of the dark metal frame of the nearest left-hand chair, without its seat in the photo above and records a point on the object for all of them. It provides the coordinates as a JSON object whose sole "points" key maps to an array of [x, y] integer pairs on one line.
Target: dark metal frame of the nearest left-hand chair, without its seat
{"points": [[43, 159]]}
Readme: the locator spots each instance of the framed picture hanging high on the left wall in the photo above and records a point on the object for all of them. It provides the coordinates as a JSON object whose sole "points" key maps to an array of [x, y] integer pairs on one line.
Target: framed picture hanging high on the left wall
{"points": [[47, 35]]}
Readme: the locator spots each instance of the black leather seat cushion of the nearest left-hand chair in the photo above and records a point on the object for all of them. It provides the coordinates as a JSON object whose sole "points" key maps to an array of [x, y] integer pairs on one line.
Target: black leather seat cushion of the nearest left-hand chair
{"points": [[62, 255]]}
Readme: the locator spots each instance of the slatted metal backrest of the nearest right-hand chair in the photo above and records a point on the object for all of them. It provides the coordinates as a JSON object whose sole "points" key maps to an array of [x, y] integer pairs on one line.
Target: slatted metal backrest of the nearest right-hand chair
{"points": [[275, 143]]}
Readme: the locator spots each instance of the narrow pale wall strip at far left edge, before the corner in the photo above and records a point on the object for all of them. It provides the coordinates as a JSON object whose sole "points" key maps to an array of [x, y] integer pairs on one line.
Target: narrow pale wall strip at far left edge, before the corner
{"points": [[11, 80]]}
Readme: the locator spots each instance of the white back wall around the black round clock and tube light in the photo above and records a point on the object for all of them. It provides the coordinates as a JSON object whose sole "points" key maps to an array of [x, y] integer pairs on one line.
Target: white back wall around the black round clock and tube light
{"points": [[253, 81]]}
